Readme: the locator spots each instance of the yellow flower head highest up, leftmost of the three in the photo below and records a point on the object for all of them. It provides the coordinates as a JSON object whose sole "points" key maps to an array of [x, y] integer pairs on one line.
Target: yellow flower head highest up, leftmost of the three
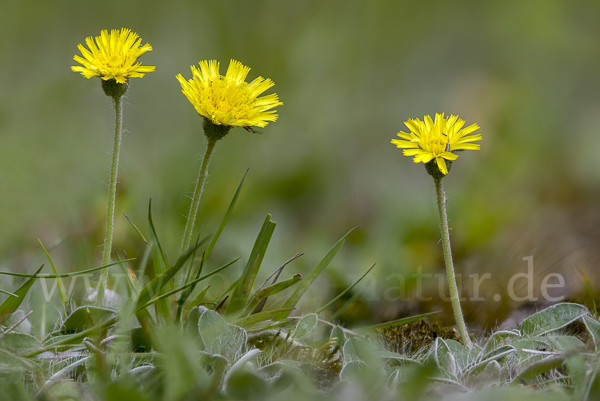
{"points": [[113, 56]]}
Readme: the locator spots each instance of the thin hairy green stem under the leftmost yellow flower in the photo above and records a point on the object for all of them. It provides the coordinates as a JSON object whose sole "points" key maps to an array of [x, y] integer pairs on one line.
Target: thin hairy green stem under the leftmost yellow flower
{"points": [[112, 192]]}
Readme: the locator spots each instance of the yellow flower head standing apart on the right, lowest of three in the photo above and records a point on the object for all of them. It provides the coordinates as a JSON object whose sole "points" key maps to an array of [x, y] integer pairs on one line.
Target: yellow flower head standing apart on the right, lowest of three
{"points": [[429, 140]]}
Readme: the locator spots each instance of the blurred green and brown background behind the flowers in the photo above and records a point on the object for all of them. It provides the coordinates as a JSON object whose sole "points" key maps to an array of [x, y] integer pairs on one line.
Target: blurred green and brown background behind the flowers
{"points": [[349, 74]]}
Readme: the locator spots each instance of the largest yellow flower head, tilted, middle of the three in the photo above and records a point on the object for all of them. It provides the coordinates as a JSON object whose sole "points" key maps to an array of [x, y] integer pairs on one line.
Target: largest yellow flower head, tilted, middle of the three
{"points": [[229, 100]]}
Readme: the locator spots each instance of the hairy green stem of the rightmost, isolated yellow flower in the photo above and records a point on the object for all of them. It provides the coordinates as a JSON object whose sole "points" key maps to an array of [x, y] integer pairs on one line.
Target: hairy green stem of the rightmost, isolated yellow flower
{"points": [[454, 296]]}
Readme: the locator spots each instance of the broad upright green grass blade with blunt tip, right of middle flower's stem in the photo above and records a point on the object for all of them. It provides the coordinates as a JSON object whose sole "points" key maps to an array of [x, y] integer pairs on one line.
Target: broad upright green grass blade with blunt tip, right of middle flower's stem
{"points": [[242, 290]]}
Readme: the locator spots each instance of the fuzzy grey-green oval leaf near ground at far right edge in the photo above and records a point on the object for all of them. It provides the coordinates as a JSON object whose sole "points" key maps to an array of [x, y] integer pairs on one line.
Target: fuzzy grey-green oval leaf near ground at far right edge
{"points": [[552, 318]]}
